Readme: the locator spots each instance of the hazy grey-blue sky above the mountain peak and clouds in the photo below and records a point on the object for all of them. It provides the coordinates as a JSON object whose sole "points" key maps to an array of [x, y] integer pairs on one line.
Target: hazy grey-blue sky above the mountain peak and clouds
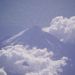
{"points": [[20, 13]]}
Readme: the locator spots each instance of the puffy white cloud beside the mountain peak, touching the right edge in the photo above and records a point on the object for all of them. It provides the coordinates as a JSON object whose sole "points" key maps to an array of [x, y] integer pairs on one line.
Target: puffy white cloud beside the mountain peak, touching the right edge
{"points": [[62, 27]]}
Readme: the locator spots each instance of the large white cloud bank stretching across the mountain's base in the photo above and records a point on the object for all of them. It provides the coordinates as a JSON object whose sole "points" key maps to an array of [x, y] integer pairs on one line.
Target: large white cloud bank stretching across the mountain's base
{"points": [[19, 60]]}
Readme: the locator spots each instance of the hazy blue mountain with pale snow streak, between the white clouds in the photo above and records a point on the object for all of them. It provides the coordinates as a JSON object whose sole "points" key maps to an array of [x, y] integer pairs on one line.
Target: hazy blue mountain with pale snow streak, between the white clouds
{"points": [[35, 37]]}
